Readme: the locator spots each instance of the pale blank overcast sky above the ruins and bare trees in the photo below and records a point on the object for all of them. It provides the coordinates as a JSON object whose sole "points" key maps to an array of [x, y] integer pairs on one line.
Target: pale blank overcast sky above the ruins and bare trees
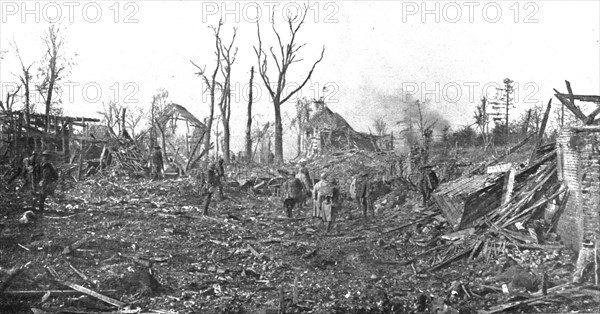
{"points": [[449, 52]]}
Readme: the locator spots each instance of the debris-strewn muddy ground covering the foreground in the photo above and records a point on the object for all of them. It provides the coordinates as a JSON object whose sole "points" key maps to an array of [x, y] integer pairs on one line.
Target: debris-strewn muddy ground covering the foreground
{"points": [[146, 243]]}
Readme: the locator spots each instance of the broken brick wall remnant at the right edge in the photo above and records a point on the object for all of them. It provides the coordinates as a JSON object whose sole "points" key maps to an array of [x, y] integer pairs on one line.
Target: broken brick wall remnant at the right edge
{"points": [[579, 158]]}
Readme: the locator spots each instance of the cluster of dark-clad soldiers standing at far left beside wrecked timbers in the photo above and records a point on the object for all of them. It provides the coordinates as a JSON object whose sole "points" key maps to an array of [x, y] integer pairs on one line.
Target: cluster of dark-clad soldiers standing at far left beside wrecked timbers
{"points": [[39, 175]]}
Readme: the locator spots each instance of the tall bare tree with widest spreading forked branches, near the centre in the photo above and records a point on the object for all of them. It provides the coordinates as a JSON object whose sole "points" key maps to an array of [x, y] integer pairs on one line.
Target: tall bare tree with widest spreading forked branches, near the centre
{"points": [[288, 56]]}
